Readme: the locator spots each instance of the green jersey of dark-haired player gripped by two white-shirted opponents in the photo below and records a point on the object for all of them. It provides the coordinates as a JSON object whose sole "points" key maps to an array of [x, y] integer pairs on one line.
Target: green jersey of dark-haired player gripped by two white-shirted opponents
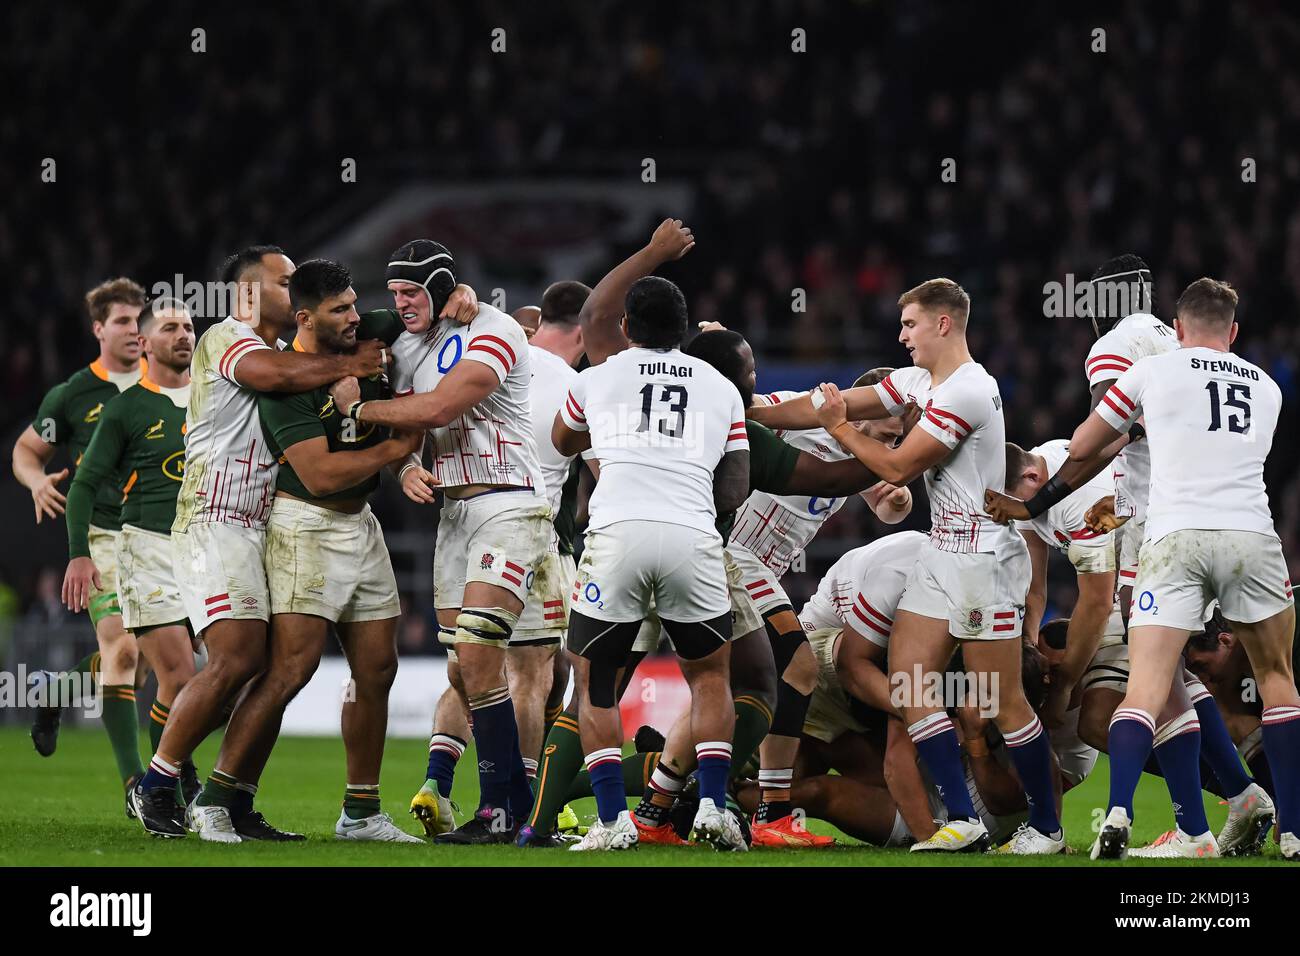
{"points": [[291, 419]]}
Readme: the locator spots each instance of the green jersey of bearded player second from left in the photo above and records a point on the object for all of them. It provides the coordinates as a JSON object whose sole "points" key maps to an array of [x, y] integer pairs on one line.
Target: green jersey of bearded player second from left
{"points": [[141, 435]]}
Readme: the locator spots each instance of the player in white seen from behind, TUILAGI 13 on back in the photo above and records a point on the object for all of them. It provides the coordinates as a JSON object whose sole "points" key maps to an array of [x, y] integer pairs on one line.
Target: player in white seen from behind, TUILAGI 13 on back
{"points": [[669, 432]]}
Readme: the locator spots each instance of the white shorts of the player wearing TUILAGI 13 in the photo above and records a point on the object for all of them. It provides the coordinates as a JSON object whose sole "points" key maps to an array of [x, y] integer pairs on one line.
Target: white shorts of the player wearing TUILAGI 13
{"points": [[630, 565]]}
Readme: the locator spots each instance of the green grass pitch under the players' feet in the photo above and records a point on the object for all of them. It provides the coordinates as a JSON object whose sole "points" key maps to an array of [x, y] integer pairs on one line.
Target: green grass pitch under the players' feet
{"points": [[67, 811]]}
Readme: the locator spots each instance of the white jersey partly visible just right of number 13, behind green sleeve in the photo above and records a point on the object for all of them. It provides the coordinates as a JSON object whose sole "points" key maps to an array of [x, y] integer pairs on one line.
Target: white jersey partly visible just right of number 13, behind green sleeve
{"points": [[777, 527]]}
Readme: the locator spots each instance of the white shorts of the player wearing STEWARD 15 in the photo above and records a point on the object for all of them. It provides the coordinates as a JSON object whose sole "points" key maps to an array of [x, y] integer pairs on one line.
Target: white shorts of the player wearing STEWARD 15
{"points": [[1186, 570]]}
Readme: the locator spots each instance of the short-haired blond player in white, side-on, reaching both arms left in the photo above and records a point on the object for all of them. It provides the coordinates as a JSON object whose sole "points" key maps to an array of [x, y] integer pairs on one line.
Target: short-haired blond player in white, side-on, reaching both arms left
{"points": [[970, 585]]}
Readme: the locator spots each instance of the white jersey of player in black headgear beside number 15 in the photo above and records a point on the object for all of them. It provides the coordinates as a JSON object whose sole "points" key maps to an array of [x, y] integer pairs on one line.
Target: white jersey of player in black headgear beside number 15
{"points": [[1134, 338]]}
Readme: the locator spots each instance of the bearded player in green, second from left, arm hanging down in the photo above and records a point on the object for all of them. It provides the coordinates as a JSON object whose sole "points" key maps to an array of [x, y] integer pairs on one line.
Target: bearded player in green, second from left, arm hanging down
{"points": [[141, 435]]}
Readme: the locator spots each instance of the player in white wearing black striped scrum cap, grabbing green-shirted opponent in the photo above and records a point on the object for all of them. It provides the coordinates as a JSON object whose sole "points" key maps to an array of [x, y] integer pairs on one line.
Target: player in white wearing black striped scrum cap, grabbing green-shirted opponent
{"points": [[469, 387]]}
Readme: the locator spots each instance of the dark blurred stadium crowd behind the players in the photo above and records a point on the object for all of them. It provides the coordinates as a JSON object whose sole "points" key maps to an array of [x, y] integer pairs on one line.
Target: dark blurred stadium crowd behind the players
{"points": [[816, 171]]}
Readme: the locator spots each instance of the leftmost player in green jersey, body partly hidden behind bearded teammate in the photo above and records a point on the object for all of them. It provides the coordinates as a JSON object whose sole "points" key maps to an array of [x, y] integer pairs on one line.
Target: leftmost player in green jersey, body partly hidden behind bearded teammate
{"points": [[67, 419]]}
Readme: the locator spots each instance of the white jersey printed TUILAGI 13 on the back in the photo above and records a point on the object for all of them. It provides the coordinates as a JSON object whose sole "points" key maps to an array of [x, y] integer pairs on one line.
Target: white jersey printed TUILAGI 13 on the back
{"points": [[661, 422]]}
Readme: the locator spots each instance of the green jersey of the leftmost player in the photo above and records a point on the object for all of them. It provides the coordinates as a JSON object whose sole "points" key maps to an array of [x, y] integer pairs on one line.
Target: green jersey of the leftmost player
{"points": [[68, 417]]}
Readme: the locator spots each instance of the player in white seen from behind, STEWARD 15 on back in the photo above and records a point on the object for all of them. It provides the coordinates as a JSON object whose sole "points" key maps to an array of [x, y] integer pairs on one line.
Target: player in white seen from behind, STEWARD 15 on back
{"points": [[1211, 417]]}
